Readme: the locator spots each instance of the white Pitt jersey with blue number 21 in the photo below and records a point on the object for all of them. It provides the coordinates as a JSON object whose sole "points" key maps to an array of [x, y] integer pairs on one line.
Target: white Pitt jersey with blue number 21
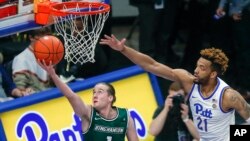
{"points": [[211, 121]]}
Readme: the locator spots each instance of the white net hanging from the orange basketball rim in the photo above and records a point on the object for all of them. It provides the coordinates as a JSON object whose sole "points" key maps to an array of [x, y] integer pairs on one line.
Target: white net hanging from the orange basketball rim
{"points": [[80, 32]]}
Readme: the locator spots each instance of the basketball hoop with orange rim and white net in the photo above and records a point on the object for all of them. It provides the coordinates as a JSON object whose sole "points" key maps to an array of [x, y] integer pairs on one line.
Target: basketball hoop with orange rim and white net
{"points": [[80, 25]]}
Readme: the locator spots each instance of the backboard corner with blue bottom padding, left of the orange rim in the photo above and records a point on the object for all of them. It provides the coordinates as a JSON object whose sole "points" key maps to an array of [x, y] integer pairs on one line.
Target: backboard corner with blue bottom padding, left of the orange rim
{"points": [[18, 15]]}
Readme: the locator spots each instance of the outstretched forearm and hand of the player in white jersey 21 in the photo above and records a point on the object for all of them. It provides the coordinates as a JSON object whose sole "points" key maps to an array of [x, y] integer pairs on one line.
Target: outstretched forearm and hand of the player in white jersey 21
{"points": [[144, 61]]}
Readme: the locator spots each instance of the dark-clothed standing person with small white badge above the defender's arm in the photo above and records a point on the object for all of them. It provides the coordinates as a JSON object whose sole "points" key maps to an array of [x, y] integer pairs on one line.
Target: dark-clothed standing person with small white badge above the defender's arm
{"points": [[157, 23]]}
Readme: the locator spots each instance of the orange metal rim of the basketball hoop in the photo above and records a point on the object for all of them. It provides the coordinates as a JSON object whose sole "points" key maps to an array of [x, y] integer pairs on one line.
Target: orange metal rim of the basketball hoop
{"points": [[96, 8]]}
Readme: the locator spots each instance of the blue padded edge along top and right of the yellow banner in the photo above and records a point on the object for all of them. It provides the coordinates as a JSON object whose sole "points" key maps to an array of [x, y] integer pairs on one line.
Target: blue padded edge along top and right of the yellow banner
{"points": [[79, 86]]}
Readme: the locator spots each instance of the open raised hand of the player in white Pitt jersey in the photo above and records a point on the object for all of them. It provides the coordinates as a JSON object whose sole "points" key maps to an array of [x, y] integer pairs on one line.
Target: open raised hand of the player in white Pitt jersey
{"points": [[113, 42]]}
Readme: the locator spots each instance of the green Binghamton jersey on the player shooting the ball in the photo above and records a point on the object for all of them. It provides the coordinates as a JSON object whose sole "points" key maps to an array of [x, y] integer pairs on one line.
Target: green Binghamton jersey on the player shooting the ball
{"points": [[102, 129]]}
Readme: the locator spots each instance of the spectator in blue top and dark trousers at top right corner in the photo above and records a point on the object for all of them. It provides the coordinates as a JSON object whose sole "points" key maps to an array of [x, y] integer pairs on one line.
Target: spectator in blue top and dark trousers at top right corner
{"points": [[239, 11]]}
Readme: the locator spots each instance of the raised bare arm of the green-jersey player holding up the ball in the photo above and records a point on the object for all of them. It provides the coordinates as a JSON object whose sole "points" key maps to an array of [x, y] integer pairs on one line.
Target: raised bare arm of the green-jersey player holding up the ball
{"points": [[77, 104]]}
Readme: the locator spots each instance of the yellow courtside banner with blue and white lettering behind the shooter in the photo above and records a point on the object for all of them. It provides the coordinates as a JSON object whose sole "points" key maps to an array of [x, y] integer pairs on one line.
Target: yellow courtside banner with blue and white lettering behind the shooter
{"points": [[54, 119]]}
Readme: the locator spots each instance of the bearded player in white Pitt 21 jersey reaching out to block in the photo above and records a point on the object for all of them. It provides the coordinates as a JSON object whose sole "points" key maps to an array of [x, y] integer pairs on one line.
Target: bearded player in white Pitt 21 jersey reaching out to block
{"points": [[213, 103]]}
